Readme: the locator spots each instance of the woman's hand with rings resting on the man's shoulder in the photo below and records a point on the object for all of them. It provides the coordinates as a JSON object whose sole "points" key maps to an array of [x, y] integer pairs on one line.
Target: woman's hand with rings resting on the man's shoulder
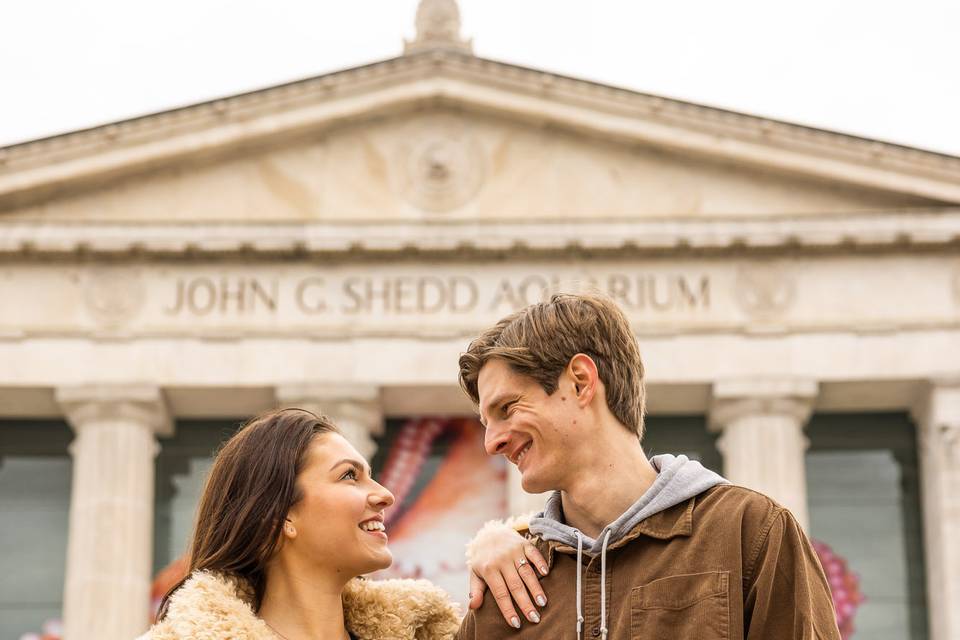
{"points": [[502, 559]]}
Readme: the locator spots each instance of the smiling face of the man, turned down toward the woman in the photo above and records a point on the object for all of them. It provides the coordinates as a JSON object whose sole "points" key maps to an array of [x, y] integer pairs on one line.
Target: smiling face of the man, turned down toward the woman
{"points": [[533, 430]]}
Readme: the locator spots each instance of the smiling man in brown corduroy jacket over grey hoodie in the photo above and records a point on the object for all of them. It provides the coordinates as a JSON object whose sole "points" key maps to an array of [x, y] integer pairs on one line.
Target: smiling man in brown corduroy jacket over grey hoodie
{"points": [[634, 548]]}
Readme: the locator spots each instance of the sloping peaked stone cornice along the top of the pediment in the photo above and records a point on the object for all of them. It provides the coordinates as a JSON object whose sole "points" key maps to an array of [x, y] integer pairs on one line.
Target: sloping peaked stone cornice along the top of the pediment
{"points": [[441, 77]]}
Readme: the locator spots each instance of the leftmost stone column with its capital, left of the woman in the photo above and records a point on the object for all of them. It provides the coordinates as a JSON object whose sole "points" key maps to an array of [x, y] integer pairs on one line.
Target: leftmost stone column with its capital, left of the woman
{"points": [[110, 548]]}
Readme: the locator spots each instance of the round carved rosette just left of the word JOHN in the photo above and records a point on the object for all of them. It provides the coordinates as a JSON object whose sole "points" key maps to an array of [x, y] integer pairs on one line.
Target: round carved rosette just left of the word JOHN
{"points": [[113, 296]]}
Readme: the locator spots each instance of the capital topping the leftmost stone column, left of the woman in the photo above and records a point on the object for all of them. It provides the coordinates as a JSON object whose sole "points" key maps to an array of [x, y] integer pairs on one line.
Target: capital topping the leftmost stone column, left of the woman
{"points": [[144, 404]]}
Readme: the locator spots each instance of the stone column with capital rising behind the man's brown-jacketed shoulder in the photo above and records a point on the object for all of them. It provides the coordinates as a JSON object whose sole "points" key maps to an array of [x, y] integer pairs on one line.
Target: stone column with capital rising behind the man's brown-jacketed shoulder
{"points": [[762, 439]]}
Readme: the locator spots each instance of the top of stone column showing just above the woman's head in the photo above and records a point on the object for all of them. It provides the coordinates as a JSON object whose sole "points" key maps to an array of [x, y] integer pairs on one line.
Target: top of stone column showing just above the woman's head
{"points": [[355, 409]]}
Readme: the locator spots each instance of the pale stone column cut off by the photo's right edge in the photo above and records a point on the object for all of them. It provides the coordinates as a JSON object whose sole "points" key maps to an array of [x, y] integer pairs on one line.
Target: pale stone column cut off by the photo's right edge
{"points": [[937, 415]]}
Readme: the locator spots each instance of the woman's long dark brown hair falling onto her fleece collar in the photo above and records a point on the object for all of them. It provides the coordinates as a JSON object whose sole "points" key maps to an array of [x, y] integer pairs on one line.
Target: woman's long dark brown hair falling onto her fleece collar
{"points": [[249, 491]]}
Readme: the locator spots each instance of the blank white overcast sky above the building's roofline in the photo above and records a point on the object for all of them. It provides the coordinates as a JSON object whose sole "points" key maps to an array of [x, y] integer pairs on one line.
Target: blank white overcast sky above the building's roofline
{"points": [[875, 68]]}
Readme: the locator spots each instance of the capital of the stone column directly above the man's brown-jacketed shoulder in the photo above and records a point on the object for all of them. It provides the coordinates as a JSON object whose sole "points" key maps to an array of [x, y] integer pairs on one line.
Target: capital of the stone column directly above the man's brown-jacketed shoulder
{"points": [[739, 398]]}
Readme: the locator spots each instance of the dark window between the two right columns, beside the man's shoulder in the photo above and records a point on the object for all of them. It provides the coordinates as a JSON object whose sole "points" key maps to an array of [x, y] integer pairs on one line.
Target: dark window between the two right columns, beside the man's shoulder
{"points": [[864, 497]]}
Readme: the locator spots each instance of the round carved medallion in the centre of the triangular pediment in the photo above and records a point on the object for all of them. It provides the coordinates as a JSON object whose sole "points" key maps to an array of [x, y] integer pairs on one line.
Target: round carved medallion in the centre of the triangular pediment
{"points": [[443, 167]]}
